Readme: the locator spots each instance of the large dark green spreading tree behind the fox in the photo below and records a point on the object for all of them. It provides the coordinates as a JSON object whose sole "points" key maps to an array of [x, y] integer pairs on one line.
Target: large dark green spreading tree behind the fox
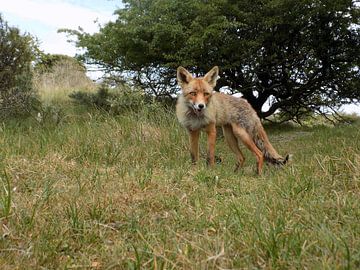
{"points": [[302, 55]]}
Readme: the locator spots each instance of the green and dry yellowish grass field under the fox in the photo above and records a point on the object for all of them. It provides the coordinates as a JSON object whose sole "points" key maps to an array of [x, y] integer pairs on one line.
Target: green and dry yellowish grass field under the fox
{"points": [[92, 190]]}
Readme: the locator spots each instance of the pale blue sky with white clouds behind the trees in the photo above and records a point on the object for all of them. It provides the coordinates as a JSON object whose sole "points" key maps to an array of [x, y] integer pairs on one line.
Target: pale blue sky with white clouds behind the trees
{"points": [[43, 18]]}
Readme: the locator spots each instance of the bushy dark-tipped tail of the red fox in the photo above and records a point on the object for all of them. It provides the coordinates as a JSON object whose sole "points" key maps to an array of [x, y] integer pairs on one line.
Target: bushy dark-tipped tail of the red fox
{"points": [[271, 156]]}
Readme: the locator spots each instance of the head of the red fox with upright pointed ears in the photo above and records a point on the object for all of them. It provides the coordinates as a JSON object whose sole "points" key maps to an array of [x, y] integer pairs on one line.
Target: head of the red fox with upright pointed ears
{"points": [[197, 91]]}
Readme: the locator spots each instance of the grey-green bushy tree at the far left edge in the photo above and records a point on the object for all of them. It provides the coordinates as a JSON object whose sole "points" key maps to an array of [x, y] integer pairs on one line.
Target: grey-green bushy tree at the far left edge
{"points": [[16, 56]]}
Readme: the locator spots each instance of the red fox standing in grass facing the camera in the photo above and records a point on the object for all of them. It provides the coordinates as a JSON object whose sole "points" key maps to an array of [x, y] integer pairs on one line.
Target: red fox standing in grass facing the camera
{"points": [[200, 108]]}
